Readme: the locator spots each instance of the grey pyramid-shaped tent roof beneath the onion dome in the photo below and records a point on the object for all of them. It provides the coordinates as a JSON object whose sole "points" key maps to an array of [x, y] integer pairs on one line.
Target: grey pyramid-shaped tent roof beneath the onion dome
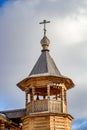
{"points": [[45, 65]]}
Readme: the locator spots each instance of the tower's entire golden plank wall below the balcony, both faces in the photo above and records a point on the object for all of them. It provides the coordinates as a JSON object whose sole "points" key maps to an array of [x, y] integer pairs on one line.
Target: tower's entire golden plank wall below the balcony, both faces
{"points": [[47, 123]]}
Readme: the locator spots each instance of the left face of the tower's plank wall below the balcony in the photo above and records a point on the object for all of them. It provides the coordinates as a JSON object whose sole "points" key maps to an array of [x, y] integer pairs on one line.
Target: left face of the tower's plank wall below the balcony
{"points": [[36, 123]]}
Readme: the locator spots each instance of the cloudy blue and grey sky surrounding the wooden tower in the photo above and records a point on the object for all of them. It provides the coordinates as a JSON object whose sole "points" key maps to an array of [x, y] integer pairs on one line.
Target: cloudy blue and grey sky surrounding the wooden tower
{"points": [[20, 35]]}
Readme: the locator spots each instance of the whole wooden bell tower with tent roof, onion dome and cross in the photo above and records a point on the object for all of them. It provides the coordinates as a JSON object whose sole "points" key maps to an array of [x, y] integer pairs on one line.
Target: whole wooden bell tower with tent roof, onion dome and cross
{"points": [[45, 89]]}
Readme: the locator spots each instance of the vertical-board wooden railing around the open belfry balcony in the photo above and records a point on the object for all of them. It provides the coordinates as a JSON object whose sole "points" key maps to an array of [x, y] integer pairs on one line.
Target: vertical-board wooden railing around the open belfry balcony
{"points": [[44, 105]]}
